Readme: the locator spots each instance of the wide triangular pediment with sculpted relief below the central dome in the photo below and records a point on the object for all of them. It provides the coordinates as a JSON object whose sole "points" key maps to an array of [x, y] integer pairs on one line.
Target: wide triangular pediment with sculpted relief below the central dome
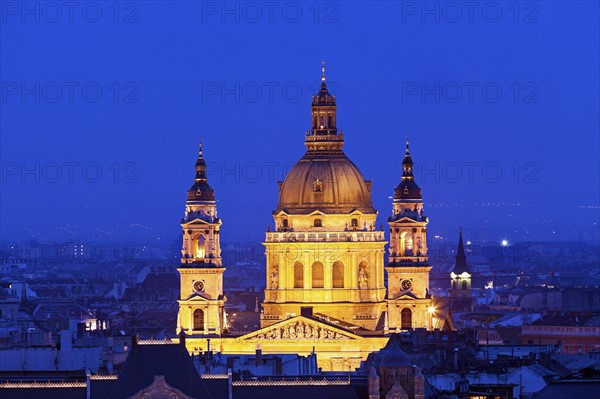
{"points": [[301, 328]]}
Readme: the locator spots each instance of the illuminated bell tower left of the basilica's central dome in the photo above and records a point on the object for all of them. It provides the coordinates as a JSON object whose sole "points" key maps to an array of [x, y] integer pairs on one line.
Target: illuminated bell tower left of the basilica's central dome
{"points": [[201, 300]]}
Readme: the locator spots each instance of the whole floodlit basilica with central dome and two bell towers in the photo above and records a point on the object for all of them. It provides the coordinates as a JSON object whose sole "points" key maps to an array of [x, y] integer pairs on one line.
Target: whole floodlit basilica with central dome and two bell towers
{"points": [[325, 260]]}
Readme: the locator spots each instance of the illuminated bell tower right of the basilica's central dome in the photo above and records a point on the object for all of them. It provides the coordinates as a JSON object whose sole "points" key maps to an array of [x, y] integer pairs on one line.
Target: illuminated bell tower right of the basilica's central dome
{"points": [[409, 301]]}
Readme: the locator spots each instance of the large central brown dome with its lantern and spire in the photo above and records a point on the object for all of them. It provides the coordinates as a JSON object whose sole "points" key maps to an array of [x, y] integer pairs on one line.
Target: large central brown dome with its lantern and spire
{"points": [[324, 179]]}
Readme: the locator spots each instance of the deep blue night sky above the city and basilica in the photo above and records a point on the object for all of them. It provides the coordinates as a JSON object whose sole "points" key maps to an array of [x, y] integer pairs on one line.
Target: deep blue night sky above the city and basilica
{"points": [[501, 104]]}
